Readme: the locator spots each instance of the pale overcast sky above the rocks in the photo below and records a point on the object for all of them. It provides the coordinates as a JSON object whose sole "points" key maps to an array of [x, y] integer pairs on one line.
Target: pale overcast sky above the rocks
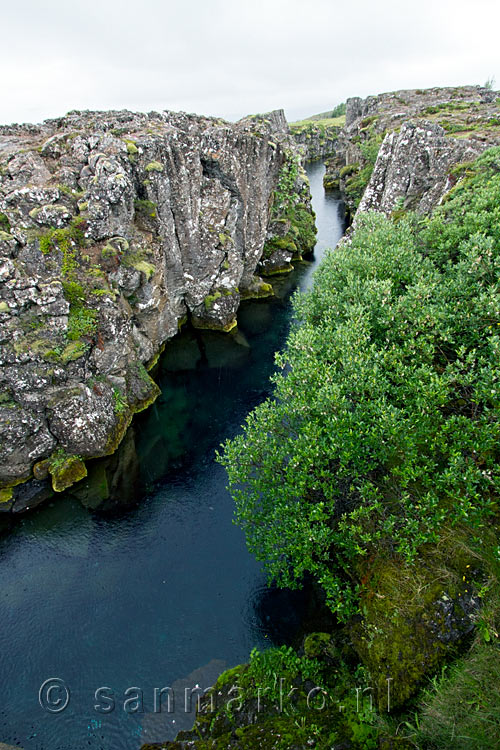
{"points": [[231, 58]]}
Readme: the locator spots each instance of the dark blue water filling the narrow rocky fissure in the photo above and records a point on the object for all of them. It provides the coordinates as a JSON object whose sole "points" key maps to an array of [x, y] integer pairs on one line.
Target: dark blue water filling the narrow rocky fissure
{"points": [[161, 593]]}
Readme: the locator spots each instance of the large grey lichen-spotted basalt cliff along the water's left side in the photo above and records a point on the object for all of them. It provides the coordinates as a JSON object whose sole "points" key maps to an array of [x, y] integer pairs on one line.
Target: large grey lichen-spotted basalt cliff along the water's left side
{"points": [[115, 228]]}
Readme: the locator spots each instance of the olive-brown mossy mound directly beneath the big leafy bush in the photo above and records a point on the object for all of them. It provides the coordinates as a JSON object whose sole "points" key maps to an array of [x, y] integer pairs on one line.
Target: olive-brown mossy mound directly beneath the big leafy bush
{"points": [[413, 619]]}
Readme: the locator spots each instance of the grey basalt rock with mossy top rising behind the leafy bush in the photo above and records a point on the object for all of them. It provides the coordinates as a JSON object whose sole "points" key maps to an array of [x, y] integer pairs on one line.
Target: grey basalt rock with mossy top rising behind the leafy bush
{"points": [[424, 134]]}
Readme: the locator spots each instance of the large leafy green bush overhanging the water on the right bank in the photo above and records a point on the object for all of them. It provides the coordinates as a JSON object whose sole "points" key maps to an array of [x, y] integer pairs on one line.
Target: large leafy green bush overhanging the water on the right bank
{"points": [[384, 425]]}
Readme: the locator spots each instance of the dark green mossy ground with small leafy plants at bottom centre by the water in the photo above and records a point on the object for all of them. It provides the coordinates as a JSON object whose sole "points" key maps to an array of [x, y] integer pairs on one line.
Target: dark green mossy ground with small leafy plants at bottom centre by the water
{"points": [[282, 701]]}
